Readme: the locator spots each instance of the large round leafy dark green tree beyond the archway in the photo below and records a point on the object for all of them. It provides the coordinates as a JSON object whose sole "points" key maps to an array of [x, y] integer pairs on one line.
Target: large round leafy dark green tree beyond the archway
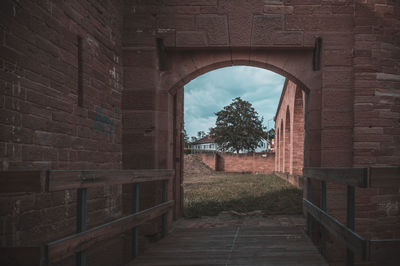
{"points": [[238, 127]]}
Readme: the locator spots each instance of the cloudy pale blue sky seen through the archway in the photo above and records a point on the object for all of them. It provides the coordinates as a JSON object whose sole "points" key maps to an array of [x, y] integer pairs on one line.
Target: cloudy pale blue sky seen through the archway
{"points": [[210, 92]]}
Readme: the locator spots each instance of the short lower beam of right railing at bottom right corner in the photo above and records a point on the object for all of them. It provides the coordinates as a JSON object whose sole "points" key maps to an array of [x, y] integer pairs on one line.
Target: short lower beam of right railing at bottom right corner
{"points": [[385, 250]]}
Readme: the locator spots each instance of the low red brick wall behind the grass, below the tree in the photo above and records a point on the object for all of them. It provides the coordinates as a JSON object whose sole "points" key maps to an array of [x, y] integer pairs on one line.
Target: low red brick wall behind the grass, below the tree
{"points": [[259, 163]]}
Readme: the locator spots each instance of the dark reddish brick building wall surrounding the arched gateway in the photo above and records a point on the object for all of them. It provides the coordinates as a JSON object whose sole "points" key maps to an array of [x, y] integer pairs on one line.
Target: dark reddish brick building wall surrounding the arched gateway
{"points": [[351, 104]]}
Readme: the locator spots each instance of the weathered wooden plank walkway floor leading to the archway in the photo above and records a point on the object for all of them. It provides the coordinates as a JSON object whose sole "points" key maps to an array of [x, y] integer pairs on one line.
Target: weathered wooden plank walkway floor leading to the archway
{"points": [[240, 244]]}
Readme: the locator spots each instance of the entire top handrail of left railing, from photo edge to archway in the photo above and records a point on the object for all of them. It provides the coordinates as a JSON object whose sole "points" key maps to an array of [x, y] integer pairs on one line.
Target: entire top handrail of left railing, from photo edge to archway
{"points": [[56, 180]]}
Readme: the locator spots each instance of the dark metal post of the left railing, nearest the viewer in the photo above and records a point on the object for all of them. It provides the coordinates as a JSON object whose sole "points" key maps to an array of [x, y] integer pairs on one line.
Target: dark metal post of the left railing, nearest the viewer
{"points": [[81, 223]]}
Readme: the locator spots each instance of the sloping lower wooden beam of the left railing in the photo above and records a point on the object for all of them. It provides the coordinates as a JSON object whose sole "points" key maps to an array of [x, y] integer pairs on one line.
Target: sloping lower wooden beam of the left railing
{"points": [[68, 246]]}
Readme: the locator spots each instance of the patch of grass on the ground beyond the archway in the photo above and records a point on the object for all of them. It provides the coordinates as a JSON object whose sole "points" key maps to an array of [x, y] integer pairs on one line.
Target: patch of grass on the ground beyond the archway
{"points": [[208, 195]]}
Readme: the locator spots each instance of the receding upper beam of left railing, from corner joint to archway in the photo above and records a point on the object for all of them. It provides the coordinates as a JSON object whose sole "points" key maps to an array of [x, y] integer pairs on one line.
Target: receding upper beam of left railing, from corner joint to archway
{"points": [[74, 179]]}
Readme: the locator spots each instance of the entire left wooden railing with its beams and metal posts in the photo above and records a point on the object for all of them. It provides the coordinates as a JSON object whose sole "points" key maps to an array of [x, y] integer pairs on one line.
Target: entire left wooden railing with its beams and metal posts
{"points": [[77, 244]]}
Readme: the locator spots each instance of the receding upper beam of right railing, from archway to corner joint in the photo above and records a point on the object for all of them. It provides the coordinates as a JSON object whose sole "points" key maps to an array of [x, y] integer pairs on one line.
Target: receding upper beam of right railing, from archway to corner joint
{"points": [[347, 176]]}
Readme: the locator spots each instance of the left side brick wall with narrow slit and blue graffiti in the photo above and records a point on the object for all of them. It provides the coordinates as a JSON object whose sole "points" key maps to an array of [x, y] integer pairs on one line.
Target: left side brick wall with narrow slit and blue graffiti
{"points": [[41, 124]]}
